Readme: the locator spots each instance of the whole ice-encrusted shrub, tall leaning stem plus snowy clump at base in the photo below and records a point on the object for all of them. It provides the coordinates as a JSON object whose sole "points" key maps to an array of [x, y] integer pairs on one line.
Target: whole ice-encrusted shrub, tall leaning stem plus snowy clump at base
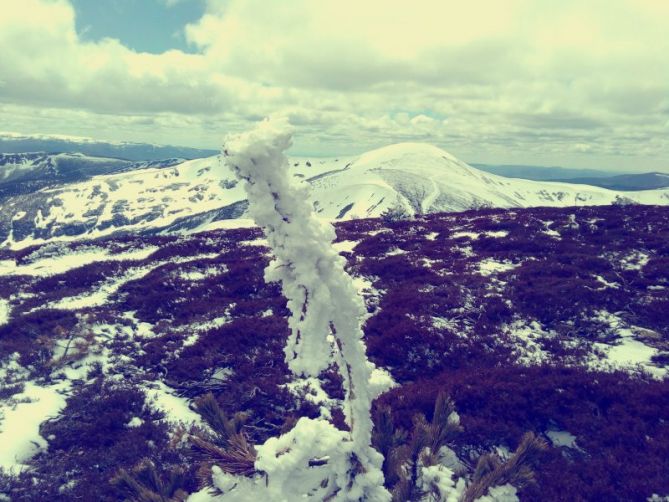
{"points": [[314, 458]]}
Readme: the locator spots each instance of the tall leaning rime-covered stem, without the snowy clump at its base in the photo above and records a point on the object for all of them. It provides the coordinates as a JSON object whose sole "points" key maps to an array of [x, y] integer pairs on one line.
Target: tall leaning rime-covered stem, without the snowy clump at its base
{"points": [[326, 309]]}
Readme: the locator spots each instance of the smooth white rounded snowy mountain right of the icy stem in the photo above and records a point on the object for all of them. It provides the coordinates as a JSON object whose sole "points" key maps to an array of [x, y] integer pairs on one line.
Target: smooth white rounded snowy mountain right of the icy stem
{"points": [[427, 179]]}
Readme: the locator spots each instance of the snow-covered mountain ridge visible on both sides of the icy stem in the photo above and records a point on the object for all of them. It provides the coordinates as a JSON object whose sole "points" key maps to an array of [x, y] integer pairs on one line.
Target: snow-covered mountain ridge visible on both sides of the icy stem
{"points": [[195, 194]]}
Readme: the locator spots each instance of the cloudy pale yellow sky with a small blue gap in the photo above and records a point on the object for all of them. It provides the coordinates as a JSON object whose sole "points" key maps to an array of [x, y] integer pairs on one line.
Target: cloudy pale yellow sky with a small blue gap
{"points": [[581, 83]]}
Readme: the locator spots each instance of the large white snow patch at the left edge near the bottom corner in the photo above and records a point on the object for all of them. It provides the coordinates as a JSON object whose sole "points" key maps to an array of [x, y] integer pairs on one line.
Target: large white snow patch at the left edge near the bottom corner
{"points": [[19, 425]]}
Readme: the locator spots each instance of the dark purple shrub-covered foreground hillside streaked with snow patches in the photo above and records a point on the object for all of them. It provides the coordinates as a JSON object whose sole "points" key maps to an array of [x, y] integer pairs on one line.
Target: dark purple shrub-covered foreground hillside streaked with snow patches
{"points": [[547, 320]]}
